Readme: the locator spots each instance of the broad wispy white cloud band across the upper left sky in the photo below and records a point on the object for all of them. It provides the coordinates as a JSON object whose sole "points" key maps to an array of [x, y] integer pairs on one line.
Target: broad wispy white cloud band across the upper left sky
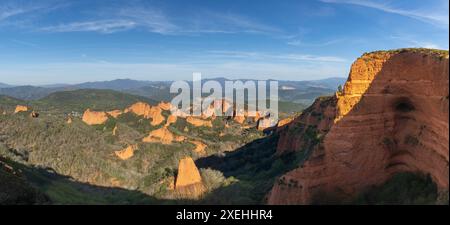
{"points": [[137, 16]]}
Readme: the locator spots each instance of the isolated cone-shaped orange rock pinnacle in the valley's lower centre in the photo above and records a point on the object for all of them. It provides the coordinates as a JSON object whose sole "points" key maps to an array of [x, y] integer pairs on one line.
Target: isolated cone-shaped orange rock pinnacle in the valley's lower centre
{"points": [[188, 182]]}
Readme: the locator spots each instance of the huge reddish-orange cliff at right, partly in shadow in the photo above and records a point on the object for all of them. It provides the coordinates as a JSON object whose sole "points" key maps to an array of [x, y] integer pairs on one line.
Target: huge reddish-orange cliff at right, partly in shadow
{"points": [[391, 117]]}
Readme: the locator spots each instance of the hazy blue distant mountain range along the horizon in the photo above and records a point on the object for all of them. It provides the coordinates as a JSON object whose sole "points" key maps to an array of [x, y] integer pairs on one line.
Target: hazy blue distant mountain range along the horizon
{"points": [[292, 91]]}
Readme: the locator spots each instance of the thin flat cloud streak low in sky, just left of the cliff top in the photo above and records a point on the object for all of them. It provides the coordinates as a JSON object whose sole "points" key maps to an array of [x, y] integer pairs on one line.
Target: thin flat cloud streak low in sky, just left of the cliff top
{"points": [[268, 56]]}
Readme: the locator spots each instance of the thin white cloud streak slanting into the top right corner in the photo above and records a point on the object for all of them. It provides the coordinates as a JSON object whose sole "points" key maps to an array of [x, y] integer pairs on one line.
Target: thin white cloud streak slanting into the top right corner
{"points": [[438, 16]]}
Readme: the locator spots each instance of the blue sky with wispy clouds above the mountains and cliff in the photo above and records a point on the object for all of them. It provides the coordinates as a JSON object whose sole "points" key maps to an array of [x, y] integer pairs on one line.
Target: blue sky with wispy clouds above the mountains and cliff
{"points": [[62, 41]]}
